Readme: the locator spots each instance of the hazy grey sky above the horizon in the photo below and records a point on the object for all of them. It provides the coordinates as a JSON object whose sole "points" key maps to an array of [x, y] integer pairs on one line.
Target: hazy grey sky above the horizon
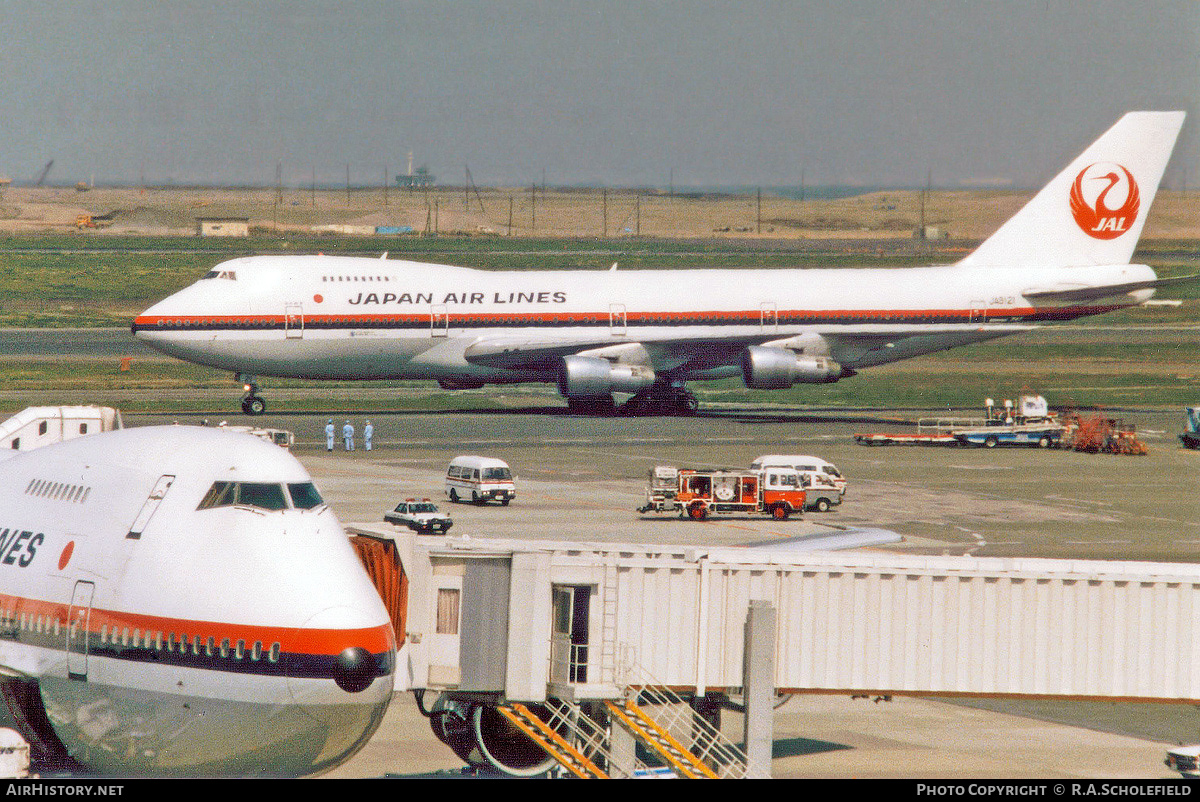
{"points": [[617, 94]]}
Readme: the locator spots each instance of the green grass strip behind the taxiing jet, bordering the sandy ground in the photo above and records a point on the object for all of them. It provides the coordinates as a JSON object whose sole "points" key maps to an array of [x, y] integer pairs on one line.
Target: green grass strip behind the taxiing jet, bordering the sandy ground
{"points": [[104, 282]]}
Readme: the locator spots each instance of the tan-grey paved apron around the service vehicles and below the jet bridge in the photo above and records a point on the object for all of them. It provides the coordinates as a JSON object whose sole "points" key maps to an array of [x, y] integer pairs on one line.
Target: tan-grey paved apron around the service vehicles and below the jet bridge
{"points": [[583, 478]]}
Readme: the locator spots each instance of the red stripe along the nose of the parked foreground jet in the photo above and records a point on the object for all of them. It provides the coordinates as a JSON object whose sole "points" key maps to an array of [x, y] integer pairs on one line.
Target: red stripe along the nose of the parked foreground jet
{"points": [[293, 641]]}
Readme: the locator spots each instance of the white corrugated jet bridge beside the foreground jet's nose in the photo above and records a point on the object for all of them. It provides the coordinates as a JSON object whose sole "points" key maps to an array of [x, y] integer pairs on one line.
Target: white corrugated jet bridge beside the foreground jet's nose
{"points": [[595, 625]]}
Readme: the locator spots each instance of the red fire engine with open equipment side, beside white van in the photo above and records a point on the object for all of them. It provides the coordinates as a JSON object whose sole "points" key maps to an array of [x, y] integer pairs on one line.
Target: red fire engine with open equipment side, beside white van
{"points": [[698, 494]]}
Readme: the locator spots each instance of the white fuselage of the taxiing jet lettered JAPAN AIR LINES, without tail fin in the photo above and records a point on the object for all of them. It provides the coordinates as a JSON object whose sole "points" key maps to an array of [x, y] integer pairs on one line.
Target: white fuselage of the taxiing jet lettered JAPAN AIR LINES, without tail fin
{"points": [[359, 319]]}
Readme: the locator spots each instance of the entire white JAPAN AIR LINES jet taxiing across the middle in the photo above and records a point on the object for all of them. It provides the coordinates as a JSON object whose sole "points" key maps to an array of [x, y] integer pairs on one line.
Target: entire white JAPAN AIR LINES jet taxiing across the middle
{"points": [[1066, 255]]}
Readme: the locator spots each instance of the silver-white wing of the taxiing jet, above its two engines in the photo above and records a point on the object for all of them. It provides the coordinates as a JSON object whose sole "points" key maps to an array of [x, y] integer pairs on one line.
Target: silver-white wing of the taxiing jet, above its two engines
{"points": [[669, 352]]}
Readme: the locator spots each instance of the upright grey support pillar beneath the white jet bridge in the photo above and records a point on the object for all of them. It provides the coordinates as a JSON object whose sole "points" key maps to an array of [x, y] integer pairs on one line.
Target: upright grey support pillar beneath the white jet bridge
{"points": [[759, 686]]}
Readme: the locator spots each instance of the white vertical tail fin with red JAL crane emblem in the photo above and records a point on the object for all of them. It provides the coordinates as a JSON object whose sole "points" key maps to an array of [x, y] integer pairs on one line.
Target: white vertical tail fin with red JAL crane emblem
{"points": [[1094, 212]]}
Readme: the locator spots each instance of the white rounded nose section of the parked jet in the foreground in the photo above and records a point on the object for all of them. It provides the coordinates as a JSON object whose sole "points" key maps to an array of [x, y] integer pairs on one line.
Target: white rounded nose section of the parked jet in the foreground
{"points": [[179, 601]]}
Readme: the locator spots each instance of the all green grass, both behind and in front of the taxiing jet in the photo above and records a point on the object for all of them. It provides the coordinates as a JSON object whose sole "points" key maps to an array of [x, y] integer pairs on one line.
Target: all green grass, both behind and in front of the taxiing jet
{"points": [[104, 282]]}
